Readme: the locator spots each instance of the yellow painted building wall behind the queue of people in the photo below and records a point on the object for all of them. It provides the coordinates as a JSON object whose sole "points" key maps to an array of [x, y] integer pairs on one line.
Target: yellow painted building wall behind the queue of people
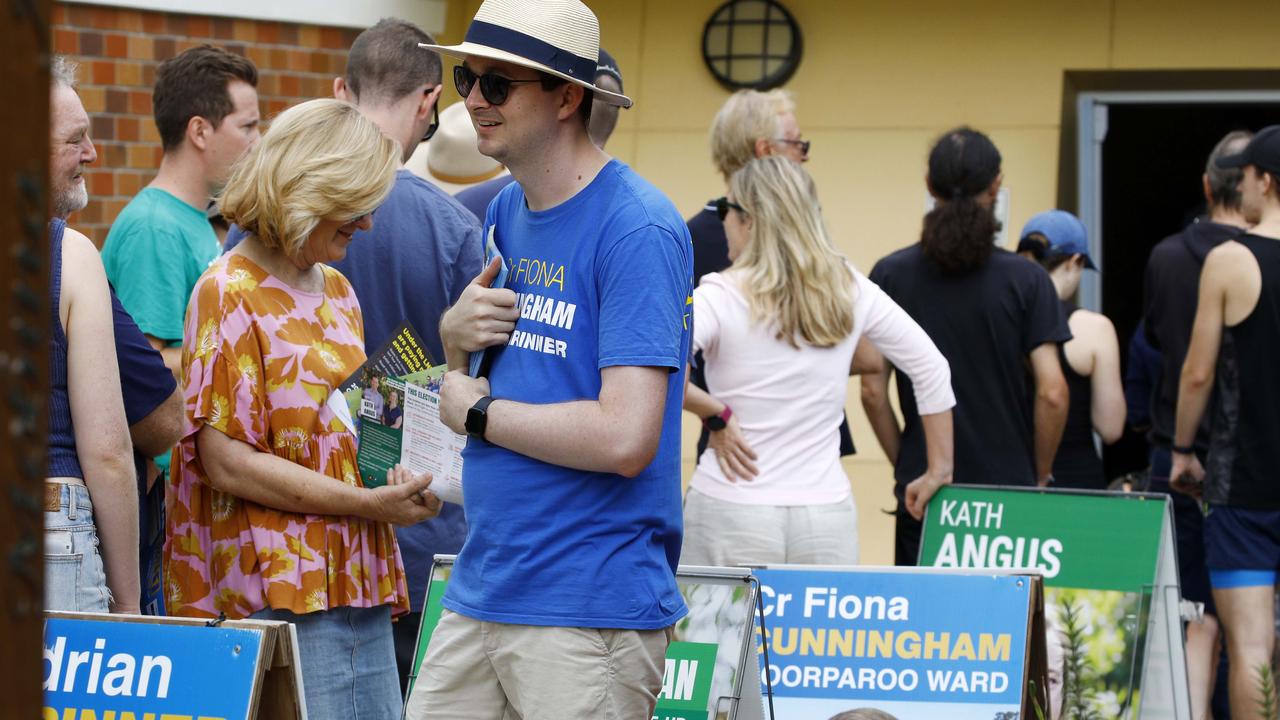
{"points": [[877, 84]]}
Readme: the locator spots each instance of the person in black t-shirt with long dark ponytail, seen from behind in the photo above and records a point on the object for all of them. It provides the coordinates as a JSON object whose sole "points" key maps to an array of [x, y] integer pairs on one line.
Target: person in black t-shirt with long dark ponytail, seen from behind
{"points": [[998, 321]]}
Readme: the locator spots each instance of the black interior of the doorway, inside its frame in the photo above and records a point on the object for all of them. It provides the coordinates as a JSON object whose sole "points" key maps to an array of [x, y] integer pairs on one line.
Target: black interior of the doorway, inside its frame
{"points": [[1153, 161]]}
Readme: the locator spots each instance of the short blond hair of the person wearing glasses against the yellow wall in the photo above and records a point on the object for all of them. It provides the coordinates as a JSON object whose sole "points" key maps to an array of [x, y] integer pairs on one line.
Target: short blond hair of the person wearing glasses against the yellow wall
{"points": [[748, 116]]}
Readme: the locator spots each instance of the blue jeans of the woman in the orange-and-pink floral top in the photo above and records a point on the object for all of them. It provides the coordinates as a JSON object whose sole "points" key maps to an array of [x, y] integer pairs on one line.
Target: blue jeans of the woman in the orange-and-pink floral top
{"points": [[349, 662]]}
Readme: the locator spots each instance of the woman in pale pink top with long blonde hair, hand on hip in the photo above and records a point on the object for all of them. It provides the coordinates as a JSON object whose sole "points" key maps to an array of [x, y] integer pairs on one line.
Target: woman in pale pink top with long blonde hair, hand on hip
{"points": [[778, 332]]}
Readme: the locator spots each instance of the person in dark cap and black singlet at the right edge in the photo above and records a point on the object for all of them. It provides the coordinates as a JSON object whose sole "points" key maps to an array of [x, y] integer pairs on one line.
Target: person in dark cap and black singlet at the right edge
{"points": [[1233, 353]]}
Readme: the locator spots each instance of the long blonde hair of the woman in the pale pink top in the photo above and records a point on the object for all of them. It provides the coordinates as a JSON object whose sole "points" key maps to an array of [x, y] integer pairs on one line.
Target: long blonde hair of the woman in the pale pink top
{"points": [[789, 268]]}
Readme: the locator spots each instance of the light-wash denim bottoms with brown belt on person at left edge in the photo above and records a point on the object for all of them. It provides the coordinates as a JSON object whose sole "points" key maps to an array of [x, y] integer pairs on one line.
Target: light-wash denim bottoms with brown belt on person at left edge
{"points": [[75, 580]]}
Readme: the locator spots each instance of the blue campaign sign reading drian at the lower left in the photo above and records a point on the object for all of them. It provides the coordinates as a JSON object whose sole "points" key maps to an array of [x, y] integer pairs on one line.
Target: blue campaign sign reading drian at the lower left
{"points": [[149, 671]]}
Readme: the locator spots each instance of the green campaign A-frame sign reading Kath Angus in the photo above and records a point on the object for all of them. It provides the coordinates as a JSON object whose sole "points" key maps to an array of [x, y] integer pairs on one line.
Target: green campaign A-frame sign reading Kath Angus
{"points": [[1110, 577]]}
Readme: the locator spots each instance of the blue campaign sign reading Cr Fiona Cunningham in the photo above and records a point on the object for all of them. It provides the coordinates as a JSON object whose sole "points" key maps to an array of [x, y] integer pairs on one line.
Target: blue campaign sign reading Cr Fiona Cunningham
{"points": [[908, 644]]}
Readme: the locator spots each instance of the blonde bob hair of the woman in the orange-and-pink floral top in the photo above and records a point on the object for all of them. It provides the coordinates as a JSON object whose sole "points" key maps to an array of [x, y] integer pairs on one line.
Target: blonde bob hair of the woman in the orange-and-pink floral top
{"points": [[321, 161]]}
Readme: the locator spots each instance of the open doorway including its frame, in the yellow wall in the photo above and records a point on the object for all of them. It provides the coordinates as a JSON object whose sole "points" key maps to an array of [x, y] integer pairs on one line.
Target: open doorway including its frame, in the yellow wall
{"points": [[1139, 160]]}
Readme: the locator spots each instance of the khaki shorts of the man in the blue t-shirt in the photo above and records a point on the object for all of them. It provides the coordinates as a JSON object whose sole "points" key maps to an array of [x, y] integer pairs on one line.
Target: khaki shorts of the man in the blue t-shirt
{"points": [[478, 671]]}
